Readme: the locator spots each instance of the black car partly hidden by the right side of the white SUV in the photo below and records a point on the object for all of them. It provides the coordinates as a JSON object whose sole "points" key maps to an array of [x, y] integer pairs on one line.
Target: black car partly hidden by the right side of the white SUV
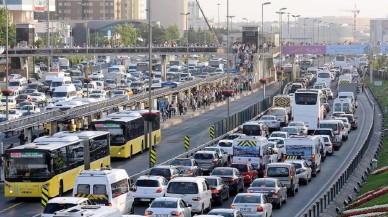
{"points": [[220, 190]]}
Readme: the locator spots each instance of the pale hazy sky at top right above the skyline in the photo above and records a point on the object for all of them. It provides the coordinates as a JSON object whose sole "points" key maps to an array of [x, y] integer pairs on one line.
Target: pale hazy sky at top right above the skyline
{"points": [[251, 9]]}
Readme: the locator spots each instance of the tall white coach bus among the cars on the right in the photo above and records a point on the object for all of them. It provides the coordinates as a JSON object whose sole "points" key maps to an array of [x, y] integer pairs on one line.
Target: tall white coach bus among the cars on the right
{"points": [[307, 106]]}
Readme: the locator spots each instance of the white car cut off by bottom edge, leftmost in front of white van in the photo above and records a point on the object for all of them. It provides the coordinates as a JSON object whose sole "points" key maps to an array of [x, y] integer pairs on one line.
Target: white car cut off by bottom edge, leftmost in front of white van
{"points": [[60, 203]]}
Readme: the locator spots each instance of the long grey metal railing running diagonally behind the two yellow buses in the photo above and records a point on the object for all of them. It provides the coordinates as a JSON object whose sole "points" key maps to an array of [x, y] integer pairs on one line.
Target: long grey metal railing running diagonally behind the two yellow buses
{"points": [[52, 115]]}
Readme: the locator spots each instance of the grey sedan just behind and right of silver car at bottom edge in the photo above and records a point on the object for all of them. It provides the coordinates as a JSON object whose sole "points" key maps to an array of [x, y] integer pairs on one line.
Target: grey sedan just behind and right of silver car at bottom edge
{"points": [[272, 188]]}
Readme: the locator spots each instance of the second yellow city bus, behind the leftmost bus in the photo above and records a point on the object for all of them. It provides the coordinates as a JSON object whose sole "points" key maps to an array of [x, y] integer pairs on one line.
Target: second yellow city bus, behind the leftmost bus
{"points": [[127, 132]]}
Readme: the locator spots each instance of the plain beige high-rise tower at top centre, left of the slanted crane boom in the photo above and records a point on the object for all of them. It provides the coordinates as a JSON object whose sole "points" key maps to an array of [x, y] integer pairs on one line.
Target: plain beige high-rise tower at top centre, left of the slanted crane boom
{"points": [[169, 12]]}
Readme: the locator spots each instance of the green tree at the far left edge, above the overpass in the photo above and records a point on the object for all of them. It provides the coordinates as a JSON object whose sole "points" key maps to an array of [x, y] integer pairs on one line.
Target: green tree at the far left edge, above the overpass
{"points": [[11, 28]]}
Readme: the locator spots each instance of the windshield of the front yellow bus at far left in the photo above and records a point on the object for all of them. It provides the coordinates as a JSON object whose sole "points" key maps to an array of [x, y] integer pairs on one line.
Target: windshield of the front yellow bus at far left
{"points": [[23, 166]]}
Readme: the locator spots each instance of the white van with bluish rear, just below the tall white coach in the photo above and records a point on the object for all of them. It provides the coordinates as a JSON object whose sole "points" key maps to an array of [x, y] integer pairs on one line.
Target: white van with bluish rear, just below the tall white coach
{"points": [[308, 148]]}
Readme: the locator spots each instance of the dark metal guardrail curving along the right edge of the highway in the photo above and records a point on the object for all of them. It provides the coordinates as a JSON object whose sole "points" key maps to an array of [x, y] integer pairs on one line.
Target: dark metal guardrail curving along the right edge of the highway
{"points": [[333, 188]]}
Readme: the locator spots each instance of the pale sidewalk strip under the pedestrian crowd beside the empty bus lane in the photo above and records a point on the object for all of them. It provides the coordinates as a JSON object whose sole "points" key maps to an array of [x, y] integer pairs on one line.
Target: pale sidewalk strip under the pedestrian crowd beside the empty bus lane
{"points": [[177, 119]]}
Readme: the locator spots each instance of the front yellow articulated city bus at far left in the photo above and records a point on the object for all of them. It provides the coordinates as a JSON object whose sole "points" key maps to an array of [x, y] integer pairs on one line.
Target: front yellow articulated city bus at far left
{"points": [[52, 162]]}
